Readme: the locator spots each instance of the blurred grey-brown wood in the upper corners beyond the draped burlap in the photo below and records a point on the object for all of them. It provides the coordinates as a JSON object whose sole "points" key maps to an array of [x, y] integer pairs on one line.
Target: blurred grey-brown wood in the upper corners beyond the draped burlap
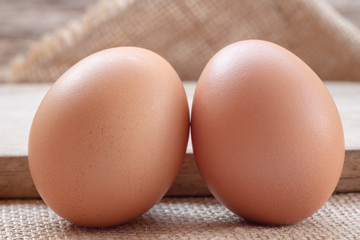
{"points": [[23, 22]]}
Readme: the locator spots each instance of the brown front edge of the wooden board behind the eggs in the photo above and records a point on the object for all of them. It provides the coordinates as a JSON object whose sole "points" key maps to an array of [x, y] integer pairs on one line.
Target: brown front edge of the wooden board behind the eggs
{"points": [[16, 182]]}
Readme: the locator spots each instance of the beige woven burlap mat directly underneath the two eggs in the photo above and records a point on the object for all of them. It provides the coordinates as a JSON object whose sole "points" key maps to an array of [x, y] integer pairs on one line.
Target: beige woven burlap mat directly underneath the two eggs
{"points": [[182, 218]]}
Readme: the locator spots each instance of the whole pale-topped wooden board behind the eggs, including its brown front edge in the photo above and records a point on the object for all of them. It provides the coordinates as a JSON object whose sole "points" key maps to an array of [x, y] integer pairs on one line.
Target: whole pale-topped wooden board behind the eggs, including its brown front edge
{"points": [[19, 102]]}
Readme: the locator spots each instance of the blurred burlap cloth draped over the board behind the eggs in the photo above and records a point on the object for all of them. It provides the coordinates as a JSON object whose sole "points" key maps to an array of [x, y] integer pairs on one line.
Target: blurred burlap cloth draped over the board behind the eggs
{"points": [[188, 33]]}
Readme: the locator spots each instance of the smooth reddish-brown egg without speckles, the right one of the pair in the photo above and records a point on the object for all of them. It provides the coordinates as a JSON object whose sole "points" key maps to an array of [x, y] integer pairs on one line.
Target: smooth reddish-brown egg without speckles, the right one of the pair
{"points": [[267, 136]]}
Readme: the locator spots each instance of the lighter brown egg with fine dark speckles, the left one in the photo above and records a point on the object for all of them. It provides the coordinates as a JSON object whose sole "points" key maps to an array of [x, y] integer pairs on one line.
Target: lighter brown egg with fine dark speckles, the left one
{"points": [[109, 137]]}
